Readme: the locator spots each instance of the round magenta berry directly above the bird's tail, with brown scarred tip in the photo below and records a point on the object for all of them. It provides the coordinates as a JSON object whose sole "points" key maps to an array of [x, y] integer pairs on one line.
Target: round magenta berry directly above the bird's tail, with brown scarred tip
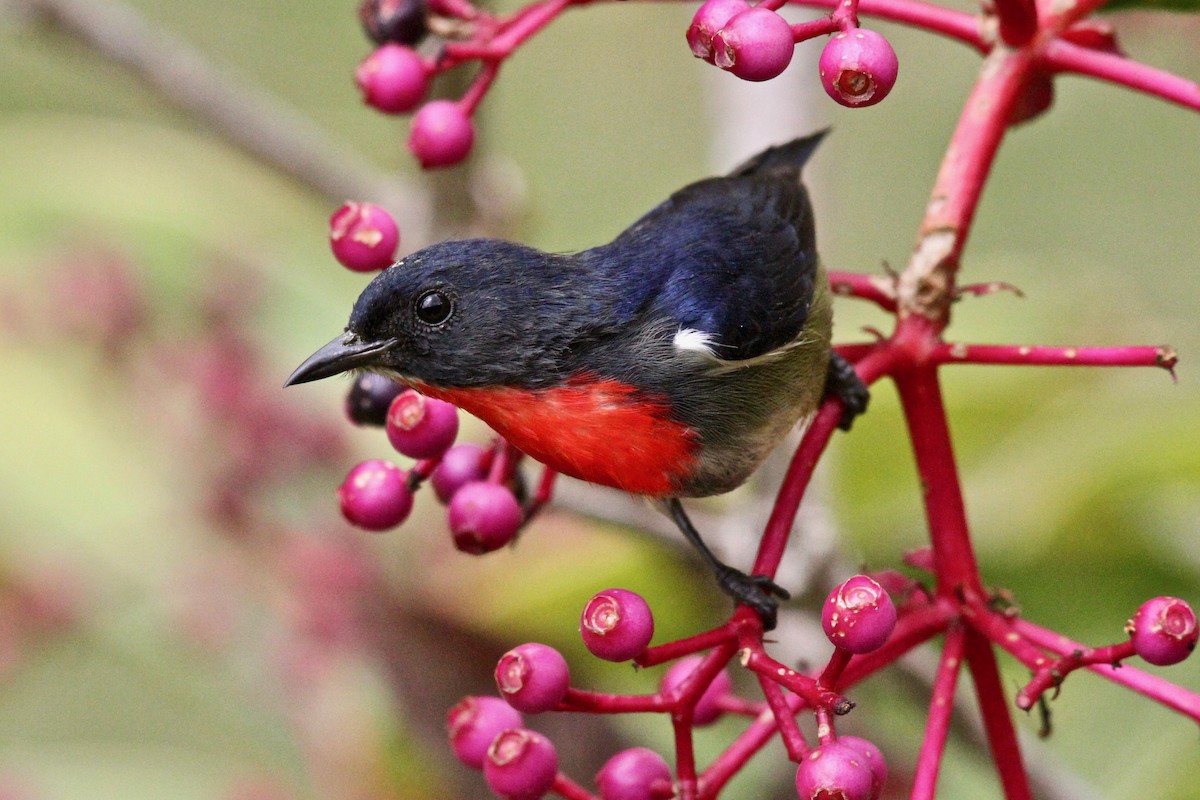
{"points": [[859, 68]]}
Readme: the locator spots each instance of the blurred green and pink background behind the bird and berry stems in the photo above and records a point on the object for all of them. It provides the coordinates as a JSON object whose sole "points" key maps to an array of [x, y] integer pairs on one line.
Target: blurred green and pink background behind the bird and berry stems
{"points": [[182, 613]]}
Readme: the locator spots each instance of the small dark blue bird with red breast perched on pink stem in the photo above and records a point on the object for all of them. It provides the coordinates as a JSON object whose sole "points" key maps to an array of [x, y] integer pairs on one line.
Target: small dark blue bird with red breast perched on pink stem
{"points": [[668, 363]]}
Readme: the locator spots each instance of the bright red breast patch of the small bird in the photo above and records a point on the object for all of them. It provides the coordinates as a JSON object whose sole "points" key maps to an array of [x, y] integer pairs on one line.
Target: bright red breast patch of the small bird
{"points": [[597, 430]]}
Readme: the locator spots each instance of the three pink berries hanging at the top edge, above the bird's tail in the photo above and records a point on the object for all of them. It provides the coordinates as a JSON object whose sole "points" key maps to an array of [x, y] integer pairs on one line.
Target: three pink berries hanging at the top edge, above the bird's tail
{"points": [[859, 68]]}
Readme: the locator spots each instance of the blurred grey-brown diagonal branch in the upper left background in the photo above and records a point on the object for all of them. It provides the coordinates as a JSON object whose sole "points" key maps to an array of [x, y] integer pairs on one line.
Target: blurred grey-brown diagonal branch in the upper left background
{"points": [[255, 122]]}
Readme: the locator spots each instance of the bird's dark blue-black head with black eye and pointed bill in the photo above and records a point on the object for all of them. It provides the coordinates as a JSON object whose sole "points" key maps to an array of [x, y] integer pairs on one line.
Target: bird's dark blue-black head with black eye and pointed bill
{"points": [[472, 312]]}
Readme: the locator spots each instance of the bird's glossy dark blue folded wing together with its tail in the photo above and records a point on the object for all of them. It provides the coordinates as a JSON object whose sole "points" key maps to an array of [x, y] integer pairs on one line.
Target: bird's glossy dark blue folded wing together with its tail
{"points": [[733, 261]]}
